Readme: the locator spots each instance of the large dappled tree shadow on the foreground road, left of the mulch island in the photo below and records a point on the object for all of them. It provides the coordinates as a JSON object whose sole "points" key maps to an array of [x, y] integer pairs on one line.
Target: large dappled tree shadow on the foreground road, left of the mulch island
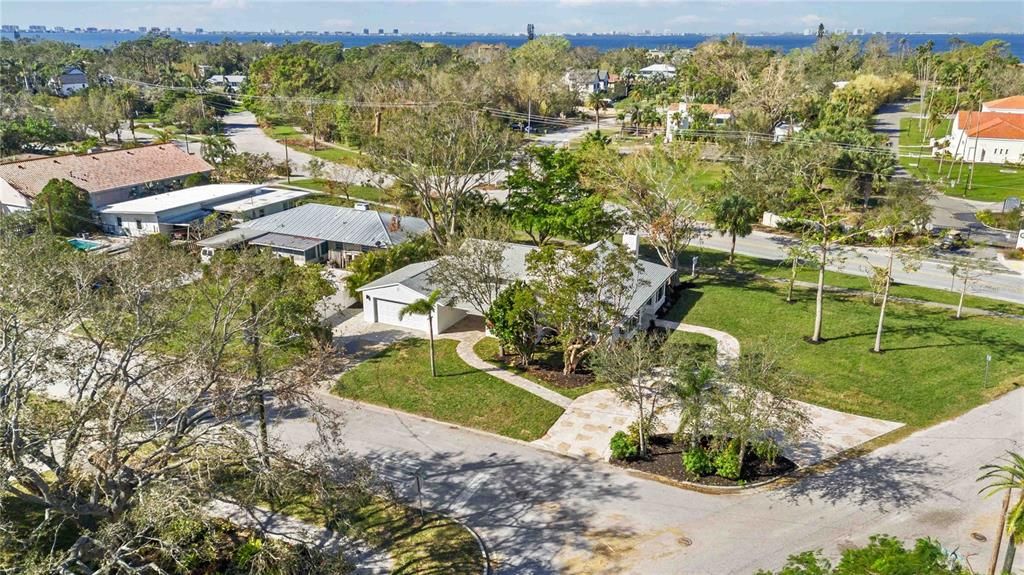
{"points": [[526, 511]]}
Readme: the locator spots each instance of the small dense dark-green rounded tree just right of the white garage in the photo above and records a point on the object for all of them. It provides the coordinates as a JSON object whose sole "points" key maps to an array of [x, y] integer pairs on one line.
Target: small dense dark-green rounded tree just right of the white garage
{"points": [[515, 320]]}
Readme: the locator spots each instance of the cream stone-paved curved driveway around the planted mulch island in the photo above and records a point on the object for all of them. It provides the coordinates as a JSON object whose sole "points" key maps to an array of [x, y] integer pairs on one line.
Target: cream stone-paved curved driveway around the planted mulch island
{"points": [[586, 428]]}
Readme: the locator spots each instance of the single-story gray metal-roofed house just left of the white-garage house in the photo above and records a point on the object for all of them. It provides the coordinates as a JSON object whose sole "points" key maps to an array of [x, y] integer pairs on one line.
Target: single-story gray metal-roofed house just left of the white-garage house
{"points": [[316, 234]]}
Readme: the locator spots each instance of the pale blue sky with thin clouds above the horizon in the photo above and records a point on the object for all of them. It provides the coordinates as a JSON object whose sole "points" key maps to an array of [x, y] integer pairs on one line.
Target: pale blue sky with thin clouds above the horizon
{"points": [[549, 17]]}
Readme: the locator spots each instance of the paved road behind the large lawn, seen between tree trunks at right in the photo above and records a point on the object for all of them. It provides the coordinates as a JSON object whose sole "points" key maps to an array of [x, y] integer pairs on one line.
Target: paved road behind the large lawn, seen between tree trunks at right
{"points": [[1006, 286]]}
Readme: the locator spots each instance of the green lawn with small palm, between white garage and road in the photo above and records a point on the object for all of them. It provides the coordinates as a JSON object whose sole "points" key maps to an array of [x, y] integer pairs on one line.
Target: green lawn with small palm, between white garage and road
{"points": [[400, 378]]}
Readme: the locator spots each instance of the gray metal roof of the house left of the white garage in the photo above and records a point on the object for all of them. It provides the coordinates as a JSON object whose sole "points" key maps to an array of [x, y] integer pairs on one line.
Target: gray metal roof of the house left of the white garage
{"points": [[363, 228]]}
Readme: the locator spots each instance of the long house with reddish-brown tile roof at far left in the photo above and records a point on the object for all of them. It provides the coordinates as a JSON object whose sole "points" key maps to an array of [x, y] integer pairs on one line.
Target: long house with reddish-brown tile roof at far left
{"points": [[109, 178]]}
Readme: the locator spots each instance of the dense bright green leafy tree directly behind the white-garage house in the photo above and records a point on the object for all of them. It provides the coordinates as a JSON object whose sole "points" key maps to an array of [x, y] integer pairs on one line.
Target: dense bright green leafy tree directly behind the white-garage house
{"points": [[547, 199]]}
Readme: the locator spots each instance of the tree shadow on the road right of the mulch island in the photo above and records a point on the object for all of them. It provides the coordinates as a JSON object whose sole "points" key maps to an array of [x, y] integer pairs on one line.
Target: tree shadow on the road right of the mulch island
{"points": [[887, 482]]}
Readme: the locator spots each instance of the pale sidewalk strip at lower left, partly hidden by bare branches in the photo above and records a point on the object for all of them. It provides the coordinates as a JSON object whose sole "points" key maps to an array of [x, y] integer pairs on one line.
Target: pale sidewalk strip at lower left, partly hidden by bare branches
{"points": [[367, 561]]}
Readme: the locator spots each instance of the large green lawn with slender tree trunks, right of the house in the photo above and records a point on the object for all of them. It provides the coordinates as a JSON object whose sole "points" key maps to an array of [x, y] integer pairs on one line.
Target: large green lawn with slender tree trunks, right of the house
{"points": [[933, 368]]}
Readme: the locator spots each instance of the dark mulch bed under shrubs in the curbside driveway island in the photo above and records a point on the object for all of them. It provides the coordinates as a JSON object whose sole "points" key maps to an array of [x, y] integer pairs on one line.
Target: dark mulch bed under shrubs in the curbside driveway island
{"points": [[665, 459]]}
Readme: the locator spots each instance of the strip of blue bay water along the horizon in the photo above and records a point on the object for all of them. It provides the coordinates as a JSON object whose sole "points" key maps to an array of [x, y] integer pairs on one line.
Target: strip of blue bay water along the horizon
{"points": [[603, 42]]}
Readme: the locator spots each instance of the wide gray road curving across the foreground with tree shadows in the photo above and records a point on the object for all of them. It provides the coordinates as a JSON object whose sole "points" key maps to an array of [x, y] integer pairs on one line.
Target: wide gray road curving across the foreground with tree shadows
{"points": [[541, 513]]}
